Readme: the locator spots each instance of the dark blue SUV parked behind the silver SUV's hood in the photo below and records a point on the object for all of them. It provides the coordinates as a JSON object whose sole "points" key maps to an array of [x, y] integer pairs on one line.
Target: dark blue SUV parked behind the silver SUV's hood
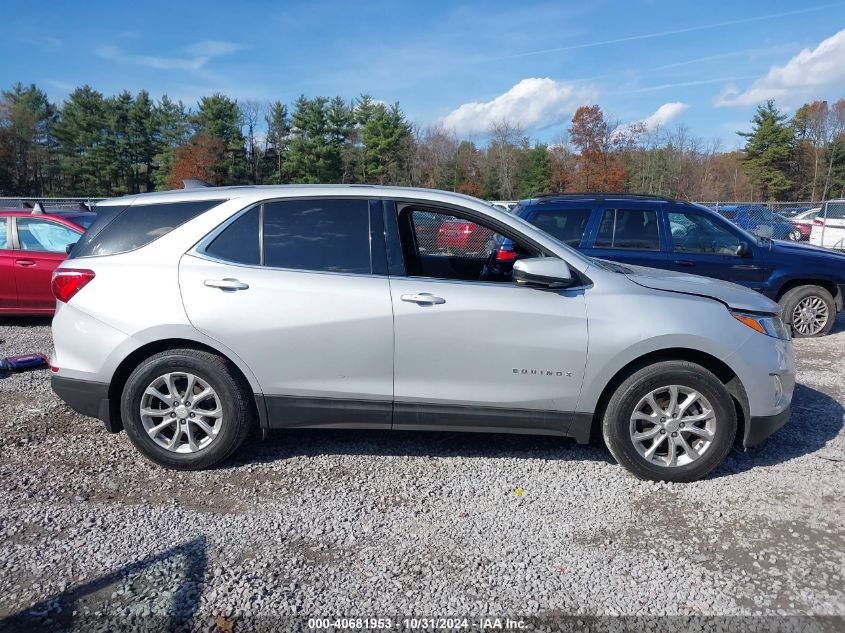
{"points": [[808, 282]]}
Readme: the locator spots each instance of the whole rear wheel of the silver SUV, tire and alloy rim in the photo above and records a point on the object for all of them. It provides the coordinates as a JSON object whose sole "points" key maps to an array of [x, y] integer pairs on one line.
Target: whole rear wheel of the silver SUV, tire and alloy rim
{"points": [[186, 409]]}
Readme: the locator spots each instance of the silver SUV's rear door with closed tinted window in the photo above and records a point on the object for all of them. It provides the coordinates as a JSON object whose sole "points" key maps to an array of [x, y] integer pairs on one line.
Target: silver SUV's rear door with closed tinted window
{"points": [[289, 287]]}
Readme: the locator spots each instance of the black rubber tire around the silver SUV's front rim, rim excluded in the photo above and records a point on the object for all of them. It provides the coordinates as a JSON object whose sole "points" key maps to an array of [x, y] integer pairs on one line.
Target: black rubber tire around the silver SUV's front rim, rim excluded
{"points": [[616, 425]]}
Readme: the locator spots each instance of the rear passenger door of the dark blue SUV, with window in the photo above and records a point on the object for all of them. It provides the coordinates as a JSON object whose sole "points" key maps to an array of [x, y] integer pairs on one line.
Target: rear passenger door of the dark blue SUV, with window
{"points": [[629, 233]]}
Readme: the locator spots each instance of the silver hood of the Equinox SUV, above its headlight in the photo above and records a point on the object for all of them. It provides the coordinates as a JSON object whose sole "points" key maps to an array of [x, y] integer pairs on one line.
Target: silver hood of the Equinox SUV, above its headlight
{"points": [[732, 295]]}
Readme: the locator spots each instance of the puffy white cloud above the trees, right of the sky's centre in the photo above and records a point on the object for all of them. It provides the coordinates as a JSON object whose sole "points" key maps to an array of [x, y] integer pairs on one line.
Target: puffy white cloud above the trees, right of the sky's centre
{"points": [[532, 103]]}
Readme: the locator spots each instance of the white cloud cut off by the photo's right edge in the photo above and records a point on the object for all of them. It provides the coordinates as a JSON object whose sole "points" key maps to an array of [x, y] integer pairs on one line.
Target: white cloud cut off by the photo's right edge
{"points": [[809, 74]]}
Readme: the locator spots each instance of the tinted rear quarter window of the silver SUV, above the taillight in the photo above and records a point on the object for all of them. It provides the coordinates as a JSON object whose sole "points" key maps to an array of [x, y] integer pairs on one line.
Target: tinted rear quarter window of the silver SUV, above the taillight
{"points": [[122, 229]]}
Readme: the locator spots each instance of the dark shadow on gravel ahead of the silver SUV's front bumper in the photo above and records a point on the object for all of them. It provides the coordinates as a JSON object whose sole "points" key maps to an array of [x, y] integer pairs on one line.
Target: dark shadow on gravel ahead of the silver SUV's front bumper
{"points": [[816, 419]]}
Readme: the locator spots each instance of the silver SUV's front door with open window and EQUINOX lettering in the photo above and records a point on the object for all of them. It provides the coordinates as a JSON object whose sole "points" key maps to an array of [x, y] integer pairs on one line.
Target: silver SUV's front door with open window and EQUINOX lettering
{"points": [[472, 349]]}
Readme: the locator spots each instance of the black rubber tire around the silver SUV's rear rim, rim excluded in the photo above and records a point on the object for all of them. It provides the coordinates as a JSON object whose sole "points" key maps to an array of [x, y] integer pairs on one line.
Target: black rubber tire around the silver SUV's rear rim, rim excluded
{"points": [[233, 394]]}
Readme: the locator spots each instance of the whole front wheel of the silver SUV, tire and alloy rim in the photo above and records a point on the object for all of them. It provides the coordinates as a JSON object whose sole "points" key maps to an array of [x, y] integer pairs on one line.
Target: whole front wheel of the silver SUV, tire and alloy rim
{"points": [[671, 421]]}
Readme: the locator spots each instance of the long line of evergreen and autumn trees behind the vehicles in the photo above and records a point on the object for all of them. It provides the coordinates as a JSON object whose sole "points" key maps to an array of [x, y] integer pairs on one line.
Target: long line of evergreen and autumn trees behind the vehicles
{"points": [[95, 145]]}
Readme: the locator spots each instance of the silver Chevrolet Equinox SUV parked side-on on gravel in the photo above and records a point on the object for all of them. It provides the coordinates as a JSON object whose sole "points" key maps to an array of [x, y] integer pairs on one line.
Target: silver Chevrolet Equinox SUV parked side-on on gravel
{"points": [[188, 316]]}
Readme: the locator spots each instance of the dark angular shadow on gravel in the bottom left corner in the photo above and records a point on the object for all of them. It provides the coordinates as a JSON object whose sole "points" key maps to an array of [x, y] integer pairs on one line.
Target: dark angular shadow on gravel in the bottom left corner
{"points": [[76, 607]]}
